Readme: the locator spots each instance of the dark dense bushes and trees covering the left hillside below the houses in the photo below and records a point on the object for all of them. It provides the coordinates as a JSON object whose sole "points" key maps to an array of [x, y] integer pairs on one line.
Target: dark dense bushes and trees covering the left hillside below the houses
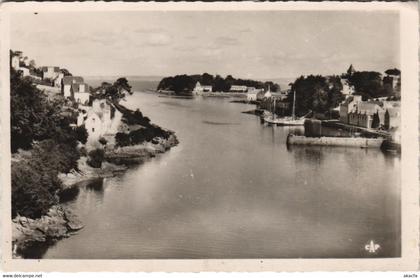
{"points": [[42, 127]]}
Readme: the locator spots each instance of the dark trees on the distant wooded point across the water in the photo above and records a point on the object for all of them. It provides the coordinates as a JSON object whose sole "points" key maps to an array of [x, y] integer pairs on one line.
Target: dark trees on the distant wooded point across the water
{"points": [[182, 84]]}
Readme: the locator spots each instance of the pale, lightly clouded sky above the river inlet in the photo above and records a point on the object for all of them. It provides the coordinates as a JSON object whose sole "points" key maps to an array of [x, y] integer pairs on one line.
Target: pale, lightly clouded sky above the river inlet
{"points": [[246, 44]]}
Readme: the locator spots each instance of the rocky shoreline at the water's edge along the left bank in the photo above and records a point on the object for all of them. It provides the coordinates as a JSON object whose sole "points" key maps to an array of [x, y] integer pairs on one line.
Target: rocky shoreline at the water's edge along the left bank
{"points": [[60, 222]]}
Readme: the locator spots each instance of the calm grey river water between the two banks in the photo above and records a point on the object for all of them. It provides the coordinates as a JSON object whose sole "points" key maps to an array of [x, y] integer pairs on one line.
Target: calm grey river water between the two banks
{"points": [[232, 189]]}
